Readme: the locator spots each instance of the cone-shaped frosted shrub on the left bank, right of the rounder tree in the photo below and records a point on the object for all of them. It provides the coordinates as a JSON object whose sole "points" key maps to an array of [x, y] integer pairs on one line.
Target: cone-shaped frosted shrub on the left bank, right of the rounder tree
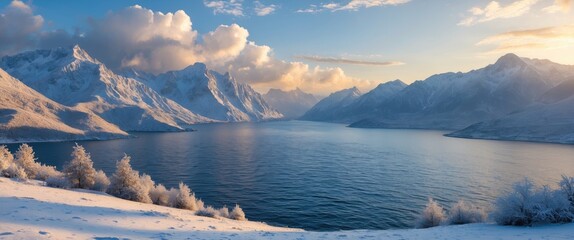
{"points": [[126, 184]]}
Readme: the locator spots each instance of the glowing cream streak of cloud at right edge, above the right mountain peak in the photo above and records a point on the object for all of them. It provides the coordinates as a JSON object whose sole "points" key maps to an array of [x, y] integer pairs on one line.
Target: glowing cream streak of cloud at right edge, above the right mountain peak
{"points": [[530, 39]]}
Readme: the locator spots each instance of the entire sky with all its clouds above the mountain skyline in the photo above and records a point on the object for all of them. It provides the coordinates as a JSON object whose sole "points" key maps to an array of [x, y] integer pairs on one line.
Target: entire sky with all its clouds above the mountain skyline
{"points": [[318, 46]]}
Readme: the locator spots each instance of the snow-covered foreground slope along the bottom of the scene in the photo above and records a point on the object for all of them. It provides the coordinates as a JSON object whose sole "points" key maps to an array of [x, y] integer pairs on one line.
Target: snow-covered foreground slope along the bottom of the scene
{"points": [[30, 211]]}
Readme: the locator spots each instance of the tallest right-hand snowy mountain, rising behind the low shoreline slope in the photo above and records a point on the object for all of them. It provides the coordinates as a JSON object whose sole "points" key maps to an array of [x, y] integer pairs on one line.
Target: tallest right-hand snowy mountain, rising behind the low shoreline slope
{"points": [[457, 100]]}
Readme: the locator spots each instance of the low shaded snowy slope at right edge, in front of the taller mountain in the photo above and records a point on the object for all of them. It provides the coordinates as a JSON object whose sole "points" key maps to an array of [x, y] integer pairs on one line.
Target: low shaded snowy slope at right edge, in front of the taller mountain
{"points": [[550, 119]]}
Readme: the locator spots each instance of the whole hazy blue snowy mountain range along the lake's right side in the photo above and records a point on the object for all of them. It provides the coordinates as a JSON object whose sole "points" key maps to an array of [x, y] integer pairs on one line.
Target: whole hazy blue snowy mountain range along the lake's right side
{"points": [[515, 99]]}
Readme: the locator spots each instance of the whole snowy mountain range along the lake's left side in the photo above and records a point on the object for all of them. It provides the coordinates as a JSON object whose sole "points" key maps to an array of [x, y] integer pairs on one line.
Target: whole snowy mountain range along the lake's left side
{"points": [[138, 101]]}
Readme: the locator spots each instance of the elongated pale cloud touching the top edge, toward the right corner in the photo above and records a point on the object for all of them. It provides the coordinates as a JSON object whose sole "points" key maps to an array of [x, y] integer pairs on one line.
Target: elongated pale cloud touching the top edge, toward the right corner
{"points": [[494, 10]]}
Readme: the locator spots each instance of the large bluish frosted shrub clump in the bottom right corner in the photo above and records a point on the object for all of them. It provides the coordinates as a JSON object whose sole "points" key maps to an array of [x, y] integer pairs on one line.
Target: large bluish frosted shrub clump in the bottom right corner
{"points": [[526, 205]]}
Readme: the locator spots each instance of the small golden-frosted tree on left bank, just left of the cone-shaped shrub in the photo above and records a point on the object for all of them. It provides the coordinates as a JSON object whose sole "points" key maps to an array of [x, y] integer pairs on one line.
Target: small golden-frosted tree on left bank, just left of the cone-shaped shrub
{"points": [[80, 170]]}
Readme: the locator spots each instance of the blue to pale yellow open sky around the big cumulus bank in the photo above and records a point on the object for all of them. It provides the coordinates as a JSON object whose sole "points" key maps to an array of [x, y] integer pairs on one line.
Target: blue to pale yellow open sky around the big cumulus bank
{"points": [[370, 41]]}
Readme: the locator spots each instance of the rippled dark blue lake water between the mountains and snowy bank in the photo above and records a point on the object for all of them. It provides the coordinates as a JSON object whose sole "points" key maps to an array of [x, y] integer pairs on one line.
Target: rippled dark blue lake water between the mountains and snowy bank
{"points": [[321, 176]]}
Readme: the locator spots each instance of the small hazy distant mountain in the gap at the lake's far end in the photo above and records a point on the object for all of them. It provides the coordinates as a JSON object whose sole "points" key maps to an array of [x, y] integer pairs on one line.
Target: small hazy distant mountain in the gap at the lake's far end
{"points": [[292, 104]]}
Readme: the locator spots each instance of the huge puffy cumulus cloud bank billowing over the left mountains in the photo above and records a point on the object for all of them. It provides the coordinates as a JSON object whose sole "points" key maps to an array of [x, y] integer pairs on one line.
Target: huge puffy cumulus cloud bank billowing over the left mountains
{"points": [[136, 37]]}
